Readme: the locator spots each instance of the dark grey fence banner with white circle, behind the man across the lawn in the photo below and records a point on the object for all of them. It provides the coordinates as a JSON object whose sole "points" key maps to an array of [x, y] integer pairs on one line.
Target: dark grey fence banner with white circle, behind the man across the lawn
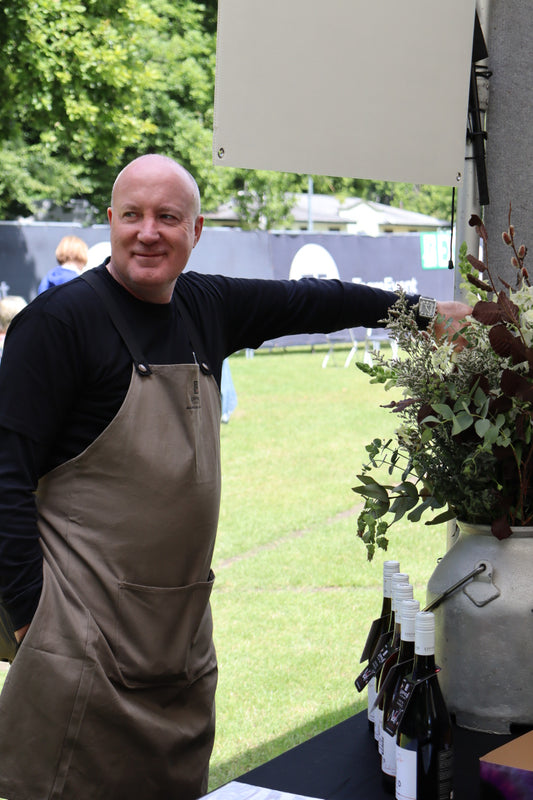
{"points": [[27, 253]]}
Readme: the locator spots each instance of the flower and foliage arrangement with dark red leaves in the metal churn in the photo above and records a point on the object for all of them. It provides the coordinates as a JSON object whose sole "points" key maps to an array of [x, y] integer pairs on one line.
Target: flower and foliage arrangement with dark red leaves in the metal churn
{"points": [[464, 445]]}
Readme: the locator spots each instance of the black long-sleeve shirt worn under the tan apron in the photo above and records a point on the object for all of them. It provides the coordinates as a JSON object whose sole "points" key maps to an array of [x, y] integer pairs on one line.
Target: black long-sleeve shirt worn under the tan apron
{"points": [[65, 372]]}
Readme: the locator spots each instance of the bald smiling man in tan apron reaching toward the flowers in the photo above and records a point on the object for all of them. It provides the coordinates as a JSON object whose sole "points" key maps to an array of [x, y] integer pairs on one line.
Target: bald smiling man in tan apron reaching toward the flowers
{"points": [[110, 409]]}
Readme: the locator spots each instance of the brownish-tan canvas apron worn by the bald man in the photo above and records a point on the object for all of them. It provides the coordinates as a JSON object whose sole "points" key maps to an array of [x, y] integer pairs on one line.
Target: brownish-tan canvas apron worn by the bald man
{"points": [[111, 696]]}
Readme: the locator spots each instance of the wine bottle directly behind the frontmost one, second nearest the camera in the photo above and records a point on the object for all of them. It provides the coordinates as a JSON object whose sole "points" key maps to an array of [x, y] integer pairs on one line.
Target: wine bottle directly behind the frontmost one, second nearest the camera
{"points": [[404, 666]]}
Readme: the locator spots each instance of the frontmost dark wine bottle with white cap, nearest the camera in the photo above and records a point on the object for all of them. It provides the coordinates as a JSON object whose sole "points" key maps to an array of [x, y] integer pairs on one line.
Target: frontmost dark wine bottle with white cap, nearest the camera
{"points": [[424, 749]]}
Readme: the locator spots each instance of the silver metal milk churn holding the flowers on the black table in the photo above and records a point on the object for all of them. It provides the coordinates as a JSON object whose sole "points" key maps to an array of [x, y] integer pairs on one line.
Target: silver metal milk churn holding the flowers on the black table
{"points": [[482, 591]]}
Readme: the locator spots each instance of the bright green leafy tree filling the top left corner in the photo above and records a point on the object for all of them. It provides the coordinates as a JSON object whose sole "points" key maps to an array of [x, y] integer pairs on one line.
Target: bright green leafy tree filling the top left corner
{"points": [[72, 83]]}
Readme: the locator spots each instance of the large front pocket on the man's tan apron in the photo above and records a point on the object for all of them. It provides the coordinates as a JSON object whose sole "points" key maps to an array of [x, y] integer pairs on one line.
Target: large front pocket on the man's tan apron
{"points": [[157, 628]]}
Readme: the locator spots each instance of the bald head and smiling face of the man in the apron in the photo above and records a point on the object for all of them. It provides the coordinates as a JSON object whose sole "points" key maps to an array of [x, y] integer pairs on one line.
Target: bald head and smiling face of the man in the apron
{"points": [[155, 223]]}
